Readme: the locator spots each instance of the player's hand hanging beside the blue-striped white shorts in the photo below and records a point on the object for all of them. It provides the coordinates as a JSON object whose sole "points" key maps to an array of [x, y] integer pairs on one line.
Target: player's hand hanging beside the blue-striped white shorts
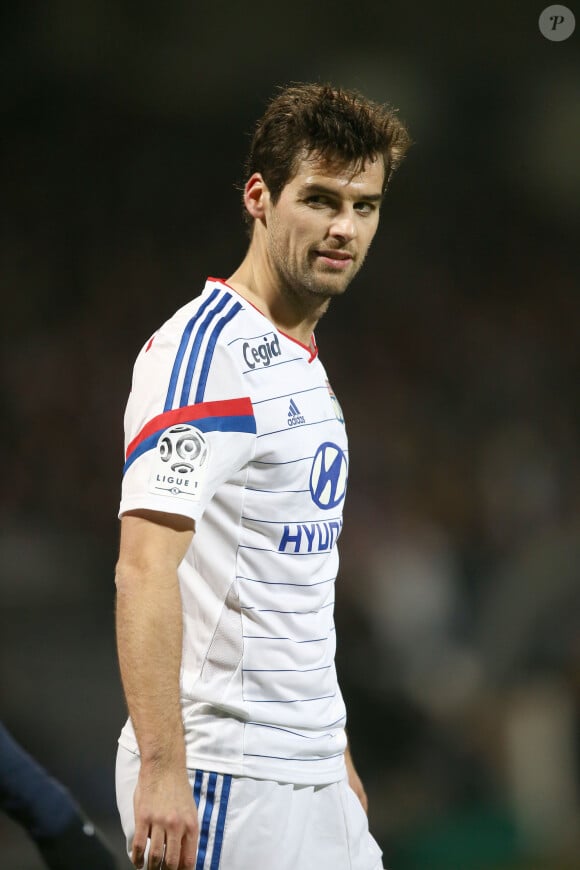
{"points": [[165, 812]]}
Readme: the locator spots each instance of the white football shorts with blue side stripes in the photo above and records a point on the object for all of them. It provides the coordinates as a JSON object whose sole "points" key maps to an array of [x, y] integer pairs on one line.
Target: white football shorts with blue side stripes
{"points": [[247, 823]]}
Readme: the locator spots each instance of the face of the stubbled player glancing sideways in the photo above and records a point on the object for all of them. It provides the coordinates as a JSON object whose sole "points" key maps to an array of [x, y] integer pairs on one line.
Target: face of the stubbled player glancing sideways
{"points": [[319, 231]]}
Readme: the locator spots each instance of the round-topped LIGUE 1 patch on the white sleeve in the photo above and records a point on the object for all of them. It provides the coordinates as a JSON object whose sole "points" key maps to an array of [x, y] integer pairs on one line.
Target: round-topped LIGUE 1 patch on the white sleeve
{"points": [[180, 463]]}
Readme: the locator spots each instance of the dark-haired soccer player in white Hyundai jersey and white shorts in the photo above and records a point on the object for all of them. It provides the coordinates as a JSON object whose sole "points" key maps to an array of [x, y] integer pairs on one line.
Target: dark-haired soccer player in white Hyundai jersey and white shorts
{"points": [[235, 754]]}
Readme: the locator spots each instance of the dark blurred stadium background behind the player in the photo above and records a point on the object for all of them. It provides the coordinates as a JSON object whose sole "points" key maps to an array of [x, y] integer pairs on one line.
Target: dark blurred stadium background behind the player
{"points": [[455, 356]]}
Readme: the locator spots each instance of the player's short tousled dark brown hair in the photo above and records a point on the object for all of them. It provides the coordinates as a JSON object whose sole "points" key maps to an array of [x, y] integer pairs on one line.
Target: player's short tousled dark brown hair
{"points": [[342, 127]]}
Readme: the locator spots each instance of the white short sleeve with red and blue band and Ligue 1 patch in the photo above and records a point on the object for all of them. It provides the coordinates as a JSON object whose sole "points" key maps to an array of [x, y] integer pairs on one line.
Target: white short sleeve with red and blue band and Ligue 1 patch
{"points": [[182, 442]]}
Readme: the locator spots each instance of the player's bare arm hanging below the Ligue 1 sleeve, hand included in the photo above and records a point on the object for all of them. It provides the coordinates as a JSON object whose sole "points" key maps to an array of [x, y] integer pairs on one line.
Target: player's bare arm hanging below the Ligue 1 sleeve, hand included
{"points": [[149, 642]]}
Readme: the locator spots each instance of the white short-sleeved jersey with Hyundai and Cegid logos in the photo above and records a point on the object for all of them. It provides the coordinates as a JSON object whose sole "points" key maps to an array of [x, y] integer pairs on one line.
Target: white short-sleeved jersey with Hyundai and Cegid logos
{"points": [[234, 424]]}
